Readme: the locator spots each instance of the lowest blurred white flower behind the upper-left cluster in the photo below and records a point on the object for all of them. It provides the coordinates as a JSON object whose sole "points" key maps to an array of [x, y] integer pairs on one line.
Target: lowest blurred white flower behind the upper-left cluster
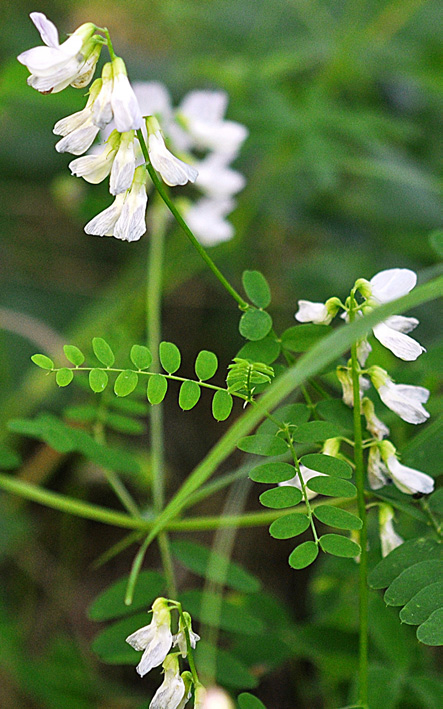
{"points": [[207, 220]]}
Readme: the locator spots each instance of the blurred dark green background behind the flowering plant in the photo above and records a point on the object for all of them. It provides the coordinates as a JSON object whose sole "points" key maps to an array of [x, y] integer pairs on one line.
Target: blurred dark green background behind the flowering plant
{"points": [[342, 102]]}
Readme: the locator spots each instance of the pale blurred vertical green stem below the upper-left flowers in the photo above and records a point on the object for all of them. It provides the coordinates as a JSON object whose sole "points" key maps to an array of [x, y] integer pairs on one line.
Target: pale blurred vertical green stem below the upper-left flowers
{"points": [[153, 328]]}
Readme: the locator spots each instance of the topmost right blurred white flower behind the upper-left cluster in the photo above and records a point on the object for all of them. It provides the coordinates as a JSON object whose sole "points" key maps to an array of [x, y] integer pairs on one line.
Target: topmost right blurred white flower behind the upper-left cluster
{"points": [[202, 115]]}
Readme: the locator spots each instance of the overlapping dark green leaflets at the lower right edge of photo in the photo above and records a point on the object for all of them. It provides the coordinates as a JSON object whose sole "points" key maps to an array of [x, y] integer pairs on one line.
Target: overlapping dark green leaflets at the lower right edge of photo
{"points": [[413, 575]]}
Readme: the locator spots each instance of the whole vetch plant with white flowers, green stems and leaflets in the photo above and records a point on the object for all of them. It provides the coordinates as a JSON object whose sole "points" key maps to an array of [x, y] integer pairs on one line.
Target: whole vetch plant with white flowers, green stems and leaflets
{"points": [[301, 403]]}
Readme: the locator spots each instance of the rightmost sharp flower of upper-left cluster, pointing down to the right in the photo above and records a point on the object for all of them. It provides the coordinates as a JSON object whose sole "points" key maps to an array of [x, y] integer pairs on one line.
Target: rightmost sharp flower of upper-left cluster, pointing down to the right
{"points": [[172, 170]]}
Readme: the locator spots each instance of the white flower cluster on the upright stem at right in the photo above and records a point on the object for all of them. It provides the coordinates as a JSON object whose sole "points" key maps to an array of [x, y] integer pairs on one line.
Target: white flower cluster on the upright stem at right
{"points": [[404, 399]]}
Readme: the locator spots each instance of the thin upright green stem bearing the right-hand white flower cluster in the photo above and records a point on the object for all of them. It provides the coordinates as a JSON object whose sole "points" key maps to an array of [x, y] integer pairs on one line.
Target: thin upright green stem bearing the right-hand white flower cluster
{"points": [[363, 537]]}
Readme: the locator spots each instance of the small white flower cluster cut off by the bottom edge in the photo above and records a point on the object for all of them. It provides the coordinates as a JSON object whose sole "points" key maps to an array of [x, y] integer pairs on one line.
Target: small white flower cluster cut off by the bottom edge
{"points": [[156, 640]]}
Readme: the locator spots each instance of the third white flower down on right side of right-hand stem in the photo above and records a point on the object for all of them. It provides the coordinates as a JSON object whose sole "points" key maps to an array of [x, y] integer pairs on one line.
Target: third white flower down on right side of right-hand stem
{"points": [[406, 400]]}
